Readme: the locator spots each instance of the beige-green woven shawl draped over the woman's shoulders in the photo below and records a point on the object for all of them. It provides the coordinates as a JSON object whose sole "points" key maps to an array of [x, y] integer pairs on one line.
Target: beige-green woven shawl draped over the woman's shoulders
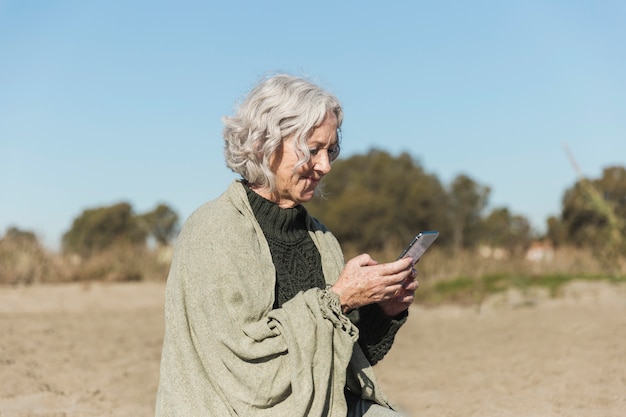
{"points": [[226, 352]]}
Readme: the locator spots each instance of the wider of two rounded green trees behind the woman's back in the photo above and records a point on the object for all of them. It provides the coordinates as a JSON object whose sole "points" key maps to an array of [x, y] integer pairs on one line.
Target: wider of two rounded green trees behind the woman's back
{"points": [[100, 228]]}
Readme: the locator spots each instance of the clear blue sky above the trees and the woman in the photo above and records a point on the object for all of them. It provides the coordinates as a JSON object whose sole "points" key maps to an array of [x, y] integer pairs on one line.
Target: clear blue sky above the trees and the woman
{"points": [[108, 101]]}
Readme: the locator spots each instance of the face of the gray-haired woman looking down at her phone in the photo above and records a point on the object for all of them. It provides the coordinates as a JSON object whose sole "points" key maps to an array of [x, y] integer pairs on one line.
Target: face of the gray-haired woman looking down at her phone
{"points": [[296, 187]]}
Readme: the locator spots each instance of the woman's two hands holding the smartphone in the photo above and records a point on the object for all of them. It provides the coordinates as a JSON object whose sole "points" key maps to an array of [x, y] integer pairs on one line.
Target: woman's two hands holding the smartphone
{"points": [[364, 281]]}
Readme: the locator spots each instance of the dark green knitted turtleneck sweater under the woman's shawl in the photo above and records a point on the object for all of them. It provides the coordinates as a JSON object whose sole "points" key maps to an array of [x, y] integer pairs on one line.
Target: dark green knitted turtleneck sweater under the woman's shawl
{"points": [[299, 268]]}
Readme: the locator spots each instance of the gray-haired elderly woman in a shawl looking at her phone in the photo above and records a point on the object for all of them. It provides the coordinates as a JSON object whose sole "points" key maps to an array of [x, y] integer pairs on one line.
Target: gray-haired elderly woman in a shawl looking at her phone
{"points": [[263, 317]]}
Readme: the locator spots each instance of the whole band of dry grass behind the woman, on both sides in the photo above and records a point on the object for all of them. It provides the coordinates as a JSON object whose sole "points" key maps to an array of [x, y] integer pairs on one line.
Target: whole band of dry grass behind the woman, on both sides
{"points": [[465, 277]]}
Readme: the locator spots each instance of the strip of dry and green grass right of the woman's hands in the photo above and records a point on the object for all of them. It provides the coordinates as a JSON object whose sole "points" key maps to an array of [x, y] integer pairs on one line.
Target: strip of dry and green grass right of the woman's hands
{"points": [[467, 277]]}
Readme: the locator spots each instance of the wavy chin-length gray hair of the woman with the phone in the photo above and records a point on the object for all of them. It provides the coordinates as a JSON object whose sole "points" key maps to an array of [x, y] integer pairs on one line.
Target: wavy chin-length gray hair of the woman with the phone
{"points": [[276, 108]]}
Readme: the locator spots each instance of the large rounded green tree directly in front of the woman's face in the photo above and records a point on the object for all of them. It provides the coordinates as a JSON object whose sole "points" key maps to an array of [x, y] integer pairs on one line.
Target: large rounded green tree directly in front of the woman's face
{"points": [[374, 200]]}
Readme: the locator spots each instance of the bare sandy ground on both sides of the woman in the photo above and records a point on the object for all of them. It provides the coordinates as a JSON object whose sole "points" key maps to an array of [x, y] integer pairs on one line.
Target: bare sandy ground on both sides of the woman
{"points": [[93, 350]]}
